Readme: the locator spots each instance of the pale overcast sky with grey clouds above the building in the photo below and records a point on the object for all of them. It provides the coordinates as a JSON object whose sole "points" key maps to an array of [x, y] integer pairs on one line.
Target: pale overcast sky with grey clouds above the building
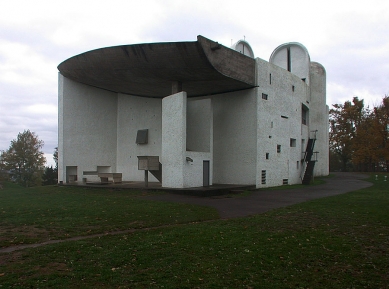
{"points": [[349, 38]]}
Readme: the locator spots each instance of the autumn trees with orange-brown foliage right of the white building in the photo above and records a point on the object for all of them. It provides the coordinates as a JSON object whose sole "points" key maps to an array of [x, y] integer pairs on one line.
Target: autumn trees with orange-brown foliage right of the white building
{"points": [[359, 136]]}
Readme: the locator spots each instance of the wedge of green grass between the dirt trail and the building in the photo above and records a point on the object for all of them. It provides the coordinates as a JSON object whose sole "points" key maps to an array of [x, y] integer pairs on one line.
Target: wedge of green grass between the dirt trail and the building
{"points": [[56, 212]]}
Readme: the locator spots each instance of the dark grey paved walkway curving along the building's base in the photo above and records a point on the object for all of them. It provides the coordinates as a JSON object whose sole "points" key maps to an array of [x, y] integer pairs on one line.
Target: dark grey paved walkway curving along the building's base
{"points": [[262, 201]]}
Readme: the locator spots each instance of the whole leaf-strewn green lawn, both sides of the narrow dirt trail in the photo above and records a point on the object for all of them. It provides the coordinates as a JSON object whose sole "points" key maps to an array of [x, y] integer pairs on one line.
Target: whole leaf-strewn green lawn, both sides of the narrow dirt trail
{"points": [[334, 242]]}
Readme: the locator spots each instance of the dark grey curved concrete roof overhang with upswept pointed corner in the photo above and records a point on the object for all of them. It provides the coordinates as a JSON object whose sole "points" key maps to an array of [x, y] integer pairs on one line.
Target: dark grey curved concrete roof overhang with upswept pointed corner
{"points": [[202, 67]]}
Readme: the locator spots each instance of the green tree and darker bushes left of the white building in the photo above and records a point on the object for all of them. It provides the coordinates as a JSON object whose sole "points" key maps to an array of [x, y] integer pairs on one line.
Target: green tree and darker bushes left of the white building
{"points": [[24, 162]]}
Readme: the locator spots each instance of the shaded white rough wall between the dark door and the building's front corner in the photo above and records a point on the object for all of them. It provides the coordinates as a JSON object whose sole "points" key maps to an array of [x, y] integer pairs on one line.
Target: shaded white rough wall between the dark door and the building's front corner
{"points": [[235, 137]]}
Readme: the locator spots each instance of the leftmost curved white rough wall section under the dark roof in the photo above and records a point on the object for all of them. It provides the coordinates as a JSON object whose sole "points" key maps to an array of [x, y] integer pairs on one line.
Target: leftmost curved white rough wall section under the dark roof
{"points": [[87, 128]]}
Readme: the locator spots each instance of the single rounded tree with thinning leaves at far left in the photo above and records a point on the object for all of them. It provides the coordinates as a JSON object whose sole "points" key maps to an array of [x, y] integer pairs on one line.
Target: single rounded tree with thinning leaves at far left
{"points": [[25, 160]]}
